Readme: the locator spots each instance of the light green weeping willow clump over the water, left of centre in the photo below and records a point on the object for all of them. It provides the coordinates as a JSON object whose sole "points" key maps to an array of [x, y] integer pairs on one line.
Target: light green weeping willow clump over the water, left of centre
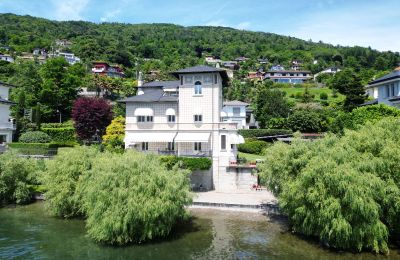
{"points": [[125, 198]]}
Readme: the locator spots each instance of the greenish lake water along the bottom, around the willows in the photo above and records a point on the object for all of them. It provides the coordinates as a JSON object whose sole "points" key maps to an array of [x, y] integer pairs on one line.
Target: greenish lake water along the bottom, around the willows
{"points": [[27, 232]]}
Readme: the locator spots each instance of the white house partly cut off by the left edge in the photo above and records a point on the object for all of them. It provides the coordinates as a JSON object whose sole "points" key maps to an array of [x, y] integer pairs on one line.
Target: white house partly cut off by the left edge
{"points": [[6, 125]]}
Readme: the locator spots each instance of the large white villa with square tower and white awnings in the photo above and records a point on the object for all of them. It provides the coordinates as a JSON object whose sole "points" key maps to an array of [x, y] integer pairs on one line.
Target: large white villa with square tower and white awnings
{"points": [[185, 118]]}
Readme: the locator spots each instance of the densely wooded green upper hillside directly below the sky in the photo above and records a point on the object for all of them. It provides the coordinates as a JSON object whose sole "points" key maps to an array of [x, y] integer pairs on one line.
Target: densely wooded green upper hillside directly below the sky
{"points": [[171, 46]]}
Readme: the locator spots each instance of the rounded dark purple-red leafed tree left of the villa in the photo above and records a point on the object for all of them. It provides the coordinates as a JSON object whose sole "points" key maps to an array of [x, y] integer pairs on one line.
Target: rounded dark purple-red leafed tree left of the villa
{"points": [[91, 116]]}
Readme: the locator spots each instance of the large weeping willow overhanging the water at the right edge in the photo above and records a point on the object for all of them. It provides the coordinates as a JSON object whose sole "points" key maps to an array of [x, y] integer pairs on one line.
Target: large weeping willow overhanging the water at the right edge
{"points": [[344, 191]]}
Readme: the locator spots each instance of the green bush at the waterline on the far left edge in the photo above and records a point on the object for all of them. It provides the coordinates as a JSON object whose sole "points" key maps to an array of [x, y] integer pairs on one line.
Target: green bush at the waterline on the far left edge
{"points": [[15, 175]]}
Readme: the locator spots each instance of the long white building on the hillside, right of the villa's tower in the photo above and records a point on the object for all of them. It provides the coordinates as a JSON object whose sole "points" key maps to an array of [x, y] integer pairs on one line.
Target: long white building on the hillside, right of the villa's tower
{"points": [[288, 76]]}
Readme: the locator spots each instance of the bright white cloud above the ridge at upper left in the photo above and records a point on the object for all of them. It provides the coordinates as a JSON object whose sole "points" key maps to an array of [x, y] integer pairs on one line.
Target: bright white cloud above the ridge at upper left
{"points": [[69, 9]]}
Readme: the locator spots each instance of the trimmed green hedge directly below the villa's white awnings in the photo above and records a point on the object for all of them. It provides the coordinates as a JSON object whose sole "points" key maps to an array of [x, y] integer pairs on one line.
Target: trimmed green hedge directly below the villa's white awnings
{"points": [[186, 162]]}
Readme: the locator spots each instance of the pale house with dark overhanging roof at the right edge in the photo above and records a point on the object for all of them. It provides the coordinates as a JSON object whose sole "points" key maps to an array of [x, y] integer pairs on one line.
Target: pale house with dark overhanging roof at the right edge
{"points": [[385, 90]]}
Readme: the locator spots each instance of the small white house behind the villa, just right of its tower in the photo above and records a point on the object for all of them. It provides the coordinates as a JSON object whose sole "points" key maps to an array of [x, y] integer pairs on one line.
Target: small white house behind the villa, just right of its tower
{"points": [[235, 111]]}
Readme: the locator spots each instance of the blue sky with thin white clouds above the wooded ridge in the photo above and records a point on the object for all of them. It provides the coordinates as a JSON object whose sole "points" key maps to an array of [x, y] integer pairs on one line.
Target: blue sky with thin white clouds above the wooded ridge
{"points": [[374, 23]]}
